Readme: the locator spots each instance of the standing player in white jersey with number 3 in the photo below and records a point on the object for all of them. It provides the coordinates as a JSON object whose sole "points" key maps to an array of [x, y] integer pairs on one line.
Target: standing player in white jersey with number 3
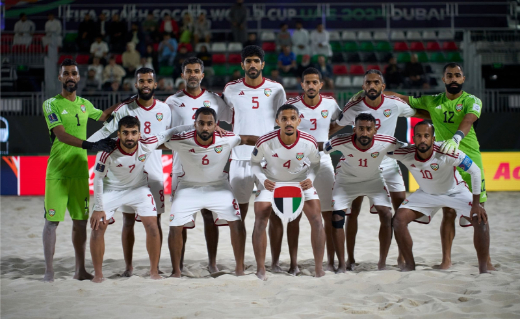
{"points": [[317, 113]]}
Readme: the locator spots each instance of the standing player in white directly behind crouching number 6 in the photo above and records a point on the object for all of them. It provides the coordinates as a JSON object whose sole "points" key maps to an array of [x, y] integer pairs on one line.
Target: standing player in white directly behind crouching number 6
{"points": [[183, 105]]}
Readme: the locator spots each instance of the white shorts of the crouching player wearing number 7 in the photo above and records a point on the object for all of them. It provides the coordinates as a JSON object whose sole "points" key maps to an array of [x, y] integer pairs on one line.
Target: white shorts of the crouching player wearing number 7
{"points": [[139, 200]]}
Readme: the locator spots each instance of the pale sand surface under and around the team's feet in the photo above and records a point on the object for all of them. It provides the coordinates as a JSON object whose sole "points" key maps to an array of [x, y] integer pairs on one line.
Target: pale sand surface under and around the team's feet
{"points": [[365, 292]]}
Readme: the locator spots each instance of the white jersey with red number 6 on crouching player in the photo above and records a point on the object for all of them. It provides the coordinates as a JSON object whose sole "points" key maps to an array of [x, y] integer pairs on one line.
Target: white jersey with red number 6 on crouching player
{"points": [[203, 164]]}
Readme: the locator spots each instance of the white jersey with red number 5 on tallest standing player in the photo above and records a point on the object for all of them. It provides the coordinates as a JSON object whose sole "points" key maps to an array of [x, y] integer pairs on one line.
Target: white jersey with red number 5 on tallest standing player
{"points": [[254, 110]]}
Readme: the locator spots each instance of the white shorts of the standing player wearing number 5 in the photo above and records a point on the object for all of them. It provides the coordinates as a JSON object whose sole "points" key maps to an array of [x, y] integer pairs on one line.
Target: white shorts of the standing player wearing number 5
{"points": [[242, 180]]}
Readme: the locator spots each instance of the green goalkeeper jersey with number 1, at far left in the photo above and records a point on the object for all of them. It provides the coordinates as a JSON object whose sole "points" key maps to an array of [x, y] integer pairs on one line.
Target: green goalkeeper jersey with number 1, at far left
{"points": [[66, 161]]}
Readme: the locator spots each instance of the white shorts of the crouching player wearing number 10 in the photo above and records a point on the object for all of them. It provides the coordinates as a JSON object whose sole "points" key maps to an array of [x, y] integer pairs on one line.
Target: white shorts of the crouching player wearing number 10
{"points": [[428, 204]]}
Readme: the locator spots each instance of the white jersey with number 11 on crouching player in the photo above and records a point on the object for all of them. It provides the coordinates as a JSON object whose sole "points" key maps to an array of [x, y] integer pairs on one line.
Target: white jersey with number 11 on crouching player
{"points": [[357, 165]]}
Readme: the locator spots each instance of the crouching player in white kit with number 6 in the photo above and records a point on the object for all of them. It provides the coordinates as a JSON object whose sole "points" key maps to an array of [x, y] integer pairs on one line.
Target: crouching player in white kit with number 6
{"points": [[203, 155]]}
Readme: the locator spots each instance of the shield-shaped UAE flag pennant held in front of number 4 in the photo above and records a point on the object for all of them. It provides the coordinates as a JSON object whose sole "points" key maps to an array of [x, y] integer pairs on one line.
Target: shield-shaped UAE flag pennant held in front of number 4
{"points": [[288, 201]]}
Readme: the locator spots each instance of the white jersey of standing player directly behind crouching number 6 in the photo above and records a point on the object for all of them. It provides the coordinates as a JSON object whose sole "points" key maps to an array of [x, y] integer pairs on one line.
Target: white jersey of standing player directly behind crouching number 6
{"points": [[183, 107]]}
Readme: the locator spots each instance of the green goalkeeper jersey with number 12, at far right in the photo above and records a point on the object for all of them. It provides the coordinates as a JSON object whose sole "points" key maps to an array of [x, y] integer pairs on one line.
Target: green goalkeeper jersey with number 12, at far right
{"points": [[447, 115]]}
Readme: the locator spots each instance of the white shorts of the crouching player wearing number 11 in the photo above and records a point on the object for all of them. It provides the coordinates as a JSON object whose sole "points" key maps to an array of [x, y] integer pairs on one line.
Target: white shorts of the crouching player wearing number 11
{"points": [[345, 193]]}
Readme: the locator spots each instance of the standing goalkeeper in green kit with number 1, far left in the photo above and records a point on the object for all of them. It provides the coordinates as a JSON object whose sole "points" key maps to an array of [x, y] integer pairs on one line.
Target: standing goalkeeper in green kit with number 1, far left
{"points": [[66, 181]]}
